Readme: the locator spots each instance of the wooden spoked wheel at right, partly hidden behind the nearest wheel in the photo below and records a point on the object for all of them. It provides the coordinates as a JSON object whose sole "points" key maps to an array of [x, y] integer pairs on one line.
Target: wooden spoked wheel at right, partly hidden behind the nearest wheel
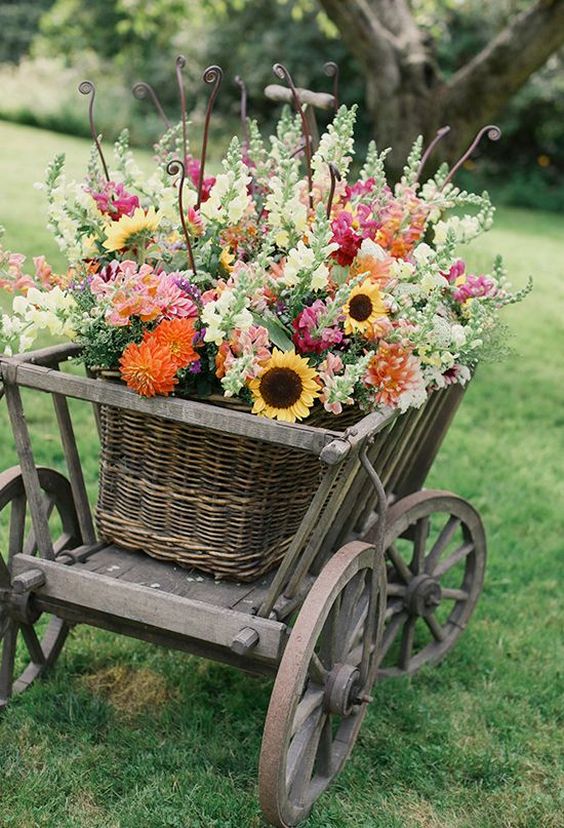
{"points": [[435, 559]]}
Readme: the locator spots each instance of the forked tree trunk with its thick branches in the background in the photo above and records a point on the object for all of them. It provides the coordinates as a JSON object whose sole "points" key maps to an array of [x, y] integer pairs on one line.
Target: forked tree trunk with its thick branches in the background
{"points": [[406, 94]]}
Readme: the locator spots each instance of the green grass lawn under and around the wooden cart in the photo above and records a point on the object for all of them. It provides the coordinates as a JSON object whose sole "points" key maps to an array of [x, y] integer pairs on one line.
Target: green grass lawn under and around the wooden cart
{"points": [[128, 736]]}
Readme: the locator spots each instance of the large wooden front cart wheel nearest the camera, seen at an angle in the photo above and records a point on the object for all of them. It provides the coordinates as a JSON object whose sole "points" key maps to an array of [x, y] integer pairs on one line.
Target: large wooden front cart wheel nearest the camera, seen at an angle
{"points": [[321, 690]]}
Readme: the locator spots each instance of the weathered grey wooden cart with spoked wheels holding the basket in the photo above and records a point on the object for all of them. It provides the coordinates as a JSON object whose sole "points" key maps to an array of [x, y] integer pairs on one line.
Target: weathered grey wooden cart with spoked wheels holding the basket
{"points": [[380, 578]]}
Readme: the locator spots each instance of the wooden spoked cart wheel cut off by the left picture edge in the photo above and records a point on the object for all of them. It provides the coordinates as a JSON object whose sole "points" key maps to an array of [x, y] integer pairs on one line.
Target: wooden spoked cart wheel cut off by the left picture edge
{"points": [[29, 647]]}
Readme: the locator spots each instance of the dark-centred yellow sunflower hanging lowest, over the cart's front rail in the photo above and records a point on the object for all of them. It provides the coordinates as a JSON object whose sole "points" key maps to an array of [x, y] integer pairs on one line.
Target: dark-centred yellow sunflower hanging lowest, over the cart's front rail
{"points": [[286, 388]]}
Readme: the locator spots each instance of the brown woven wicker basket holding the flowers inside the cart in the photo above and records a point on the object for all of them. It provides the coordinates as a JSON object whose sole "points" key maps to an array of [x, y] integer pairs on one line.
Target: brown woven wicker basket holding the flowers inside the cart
{"points": [[225, 504]]}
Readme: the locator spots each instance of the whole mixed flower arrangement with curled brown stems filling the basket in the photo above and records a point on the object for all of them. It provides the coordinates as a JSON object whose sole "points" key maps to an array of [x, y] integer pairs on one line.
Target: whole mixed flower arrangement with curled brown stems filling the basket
{"points": [[288, 280]]}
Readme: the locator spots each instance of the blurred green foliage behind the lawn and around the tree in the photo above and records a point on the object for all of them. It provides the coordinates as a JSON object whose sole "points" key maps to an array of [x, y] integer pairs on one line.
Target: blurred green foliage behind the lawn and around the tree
{"points": [[48, 46]]}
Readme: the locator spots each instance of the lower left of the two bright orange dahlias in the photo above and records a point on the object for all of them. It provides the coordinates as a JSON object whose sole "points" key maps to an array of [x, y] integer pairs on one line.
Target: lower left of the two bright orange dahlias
{"points": [[148, 368]]}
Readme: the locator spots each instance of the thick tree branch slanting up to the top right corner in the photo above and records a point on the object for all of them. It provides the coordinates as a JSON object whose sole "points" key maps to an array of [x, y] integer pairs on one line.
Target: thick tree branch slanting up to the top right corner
{"points": [[480, 89]]}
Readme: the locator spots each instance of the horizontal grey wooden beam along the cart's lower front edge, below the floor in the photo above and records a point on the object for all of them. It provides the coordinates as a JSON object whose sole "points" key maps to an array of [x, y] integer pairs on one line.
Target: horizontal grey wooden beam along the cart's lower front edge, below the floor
{"points": [[172, 613]]}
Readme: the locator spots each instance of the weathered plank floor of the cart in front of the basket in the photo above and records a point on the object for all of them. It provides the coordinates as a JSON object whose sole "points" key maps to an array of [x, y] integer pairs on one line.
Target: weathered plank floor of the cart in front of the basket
{"points": [[166, 576]]}
